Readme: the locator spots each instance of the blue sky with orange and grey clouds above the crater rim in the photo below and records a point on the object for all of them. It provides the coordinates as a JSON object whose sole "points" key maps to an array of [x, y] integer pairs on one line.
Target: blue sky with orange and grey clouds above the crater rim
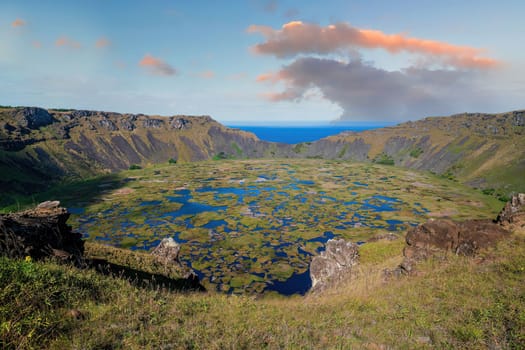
{"points": [[266, 62]]}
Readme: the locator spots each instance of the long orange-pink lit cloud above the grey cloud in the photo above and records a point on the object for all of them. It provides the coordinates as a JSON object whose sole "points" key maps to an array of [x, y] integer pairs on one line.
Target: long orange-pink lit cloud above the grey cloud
{"points": [[296, 38]]}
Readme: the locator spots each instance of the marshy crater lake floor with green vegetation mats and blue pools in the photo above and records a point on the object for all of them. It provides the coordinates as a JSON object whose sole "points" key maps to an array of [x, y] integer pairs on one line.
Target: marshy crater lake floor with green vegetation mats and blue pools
{"points": [[253, 226]]}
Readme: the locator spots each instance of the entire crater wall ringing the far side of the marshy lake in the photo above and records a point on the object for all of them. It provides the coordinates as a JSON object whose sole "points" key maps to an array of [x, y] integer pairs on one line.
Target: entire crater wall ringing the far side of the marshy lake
{"points": [[40, 147]]}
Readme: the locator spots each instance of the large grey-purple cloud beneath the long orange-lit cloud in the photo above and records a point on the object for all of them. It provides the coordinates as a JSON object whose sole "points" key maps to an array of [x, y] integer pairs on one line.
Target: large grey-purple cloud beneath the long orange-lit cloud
{"points": [[366, 92]]}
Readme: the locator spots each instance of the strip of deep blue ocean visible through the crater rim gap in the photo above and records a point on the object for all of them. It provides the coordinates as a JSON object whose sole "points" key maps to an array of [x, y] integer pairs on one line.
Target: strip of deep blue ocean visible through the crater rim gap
{"points": [[293, 135]]}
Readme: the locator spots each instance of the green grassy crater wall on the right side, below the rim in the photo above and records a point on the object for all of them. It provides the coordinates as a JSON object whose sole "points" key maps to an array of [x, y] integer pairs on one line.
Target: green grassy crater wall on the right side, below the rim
{"points": [[491, 148]]}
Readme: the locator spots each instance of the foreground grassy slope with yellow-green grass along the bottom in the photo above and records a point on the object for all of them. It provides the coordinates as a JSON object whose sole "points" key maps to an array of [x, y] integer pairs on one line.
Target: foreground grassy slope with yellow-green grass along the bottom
{"points": [[459, 303]]}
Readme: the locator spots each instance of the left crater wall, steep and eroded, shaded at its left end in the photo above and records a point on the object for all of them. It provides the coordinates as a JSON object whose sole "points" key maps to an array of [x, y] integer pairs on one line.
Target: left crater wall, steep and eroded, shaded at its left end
{"points": [[39, 147]]}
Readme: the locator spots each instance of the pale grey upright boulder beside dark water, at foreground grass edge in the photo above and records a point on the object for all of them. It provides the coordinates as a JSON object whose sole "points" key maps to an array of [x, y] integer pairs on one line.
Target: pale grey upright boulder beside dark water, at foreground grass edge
{"points": [[333, 265]]}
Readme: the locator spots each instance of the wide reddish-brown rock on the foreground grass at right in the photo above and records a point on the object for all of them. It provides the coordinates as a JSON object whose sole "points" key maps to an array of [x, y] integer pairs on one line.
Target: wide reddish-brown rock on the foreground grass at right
{"points": [[436, 237]]}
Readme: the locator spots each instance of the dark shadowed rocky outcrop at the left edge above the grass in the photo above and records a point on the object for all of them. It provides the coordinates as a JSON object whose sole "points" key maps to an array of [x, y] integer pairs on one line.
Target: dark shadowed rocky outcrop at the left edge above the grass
{"points": [[40, 233]]}
